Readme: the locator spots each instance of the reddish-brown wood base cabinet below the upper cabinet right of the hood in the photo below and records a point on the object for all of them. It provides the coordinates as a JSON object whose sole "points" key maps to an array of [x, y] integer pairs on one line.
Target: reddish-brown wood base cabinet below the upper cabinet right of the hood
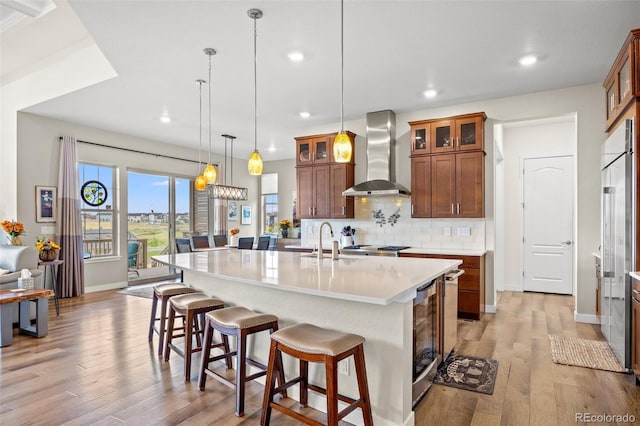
{"points": [[471, 284]]}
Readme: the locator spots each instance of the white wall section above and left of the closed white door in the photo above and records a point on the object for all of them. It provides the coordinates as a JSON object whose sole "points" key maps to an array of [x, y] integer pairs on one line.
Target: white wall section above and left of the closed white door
{"points": [[537, 138]]}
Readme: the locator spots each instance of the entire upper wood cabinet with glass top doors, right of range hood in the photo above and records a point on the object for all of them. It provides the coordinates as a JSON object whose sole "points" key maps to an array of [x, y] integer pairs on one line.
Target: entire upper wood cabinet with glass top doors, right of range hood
{"points": [[447, 178]]}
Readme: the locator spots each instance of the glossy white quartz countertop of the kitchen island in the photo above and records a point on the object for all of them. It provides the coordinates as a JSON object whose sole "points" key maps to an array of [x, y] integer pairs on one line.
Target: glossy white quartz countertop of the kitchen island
{"points": [[367, 279]]}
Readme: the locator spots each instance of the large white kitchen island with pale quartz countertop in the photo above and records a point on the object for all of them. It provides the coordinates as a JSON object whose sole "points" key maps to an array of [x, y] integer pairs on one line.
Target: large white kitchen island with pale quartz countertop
{"points": [[369, 296]]}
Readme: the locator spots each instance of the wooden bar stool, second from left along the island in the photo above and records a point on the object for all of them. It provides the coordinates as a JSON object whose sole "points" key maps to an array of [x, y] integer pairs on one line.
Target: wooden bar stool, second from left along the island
{"points": [[192, 306]]}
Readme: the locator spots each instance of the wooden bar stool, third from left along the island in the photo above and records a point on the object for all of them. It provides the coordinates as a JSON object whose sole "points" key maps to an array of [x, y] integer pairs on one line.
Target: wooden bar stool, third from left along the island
{"points": [[240, 322]]}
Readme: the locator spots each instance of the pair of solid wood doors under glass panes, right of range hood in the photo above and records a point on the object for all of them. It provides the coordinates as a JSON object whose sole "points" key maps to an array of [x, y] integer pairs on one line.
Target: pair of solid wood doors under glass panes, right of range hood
{"points": [[457, 182]]}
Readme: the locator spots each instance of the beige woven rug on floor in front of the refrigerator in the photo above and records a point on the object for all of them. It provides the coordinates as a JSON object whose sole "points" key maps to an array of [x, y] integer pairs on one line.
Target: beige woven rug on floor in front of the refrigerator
{"points": [[583, 353]]}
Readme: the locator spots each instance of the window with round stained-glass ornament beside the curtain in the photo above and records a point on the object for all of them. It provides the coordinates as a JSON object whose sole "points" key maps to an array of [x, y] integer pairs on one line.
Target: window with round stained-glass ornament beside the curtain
{"points": [[96, 184]]}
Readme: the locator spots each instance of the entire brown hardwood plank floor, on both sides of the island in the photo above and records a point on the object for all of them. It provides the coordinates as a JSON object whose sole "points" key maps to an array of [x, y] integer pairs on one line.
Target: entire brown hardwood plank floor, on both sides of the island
{"points": [[95, 367]]}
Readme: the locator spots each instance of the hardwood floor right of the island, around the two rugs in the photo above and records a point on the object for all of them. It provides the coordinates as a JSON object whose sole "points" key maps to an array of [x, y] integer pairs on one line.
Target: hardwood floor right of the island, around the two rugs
{"points": [[530, 388]]}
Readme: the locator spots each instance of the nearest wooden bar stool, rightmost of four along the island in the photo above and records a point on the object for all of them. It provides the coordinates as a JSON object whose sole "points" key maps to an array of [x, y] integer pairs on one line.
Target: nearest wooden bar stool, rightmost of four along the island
{"points": [[309, 343]]}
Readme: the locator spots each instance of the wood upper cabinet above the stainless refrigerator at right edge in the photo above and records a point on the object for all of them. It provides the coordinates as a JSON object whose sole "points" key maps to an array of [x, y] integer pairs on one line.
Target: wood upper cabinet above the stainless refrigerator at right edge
{"points": [[623, 81]]}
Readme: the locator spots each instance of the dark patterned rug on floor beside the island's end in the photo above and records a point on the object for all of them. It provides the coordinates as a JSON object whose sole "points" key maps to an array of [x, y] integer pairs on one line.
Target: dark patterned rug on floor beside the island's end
{"points": [[468, 373]]}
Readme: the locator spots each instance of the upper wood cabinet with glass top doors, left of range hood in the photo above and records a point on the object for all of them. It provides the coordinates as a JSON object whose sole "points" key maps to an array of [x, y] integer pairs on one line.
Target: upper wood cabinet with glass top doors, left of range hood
{"points": [[320, 181]]}
